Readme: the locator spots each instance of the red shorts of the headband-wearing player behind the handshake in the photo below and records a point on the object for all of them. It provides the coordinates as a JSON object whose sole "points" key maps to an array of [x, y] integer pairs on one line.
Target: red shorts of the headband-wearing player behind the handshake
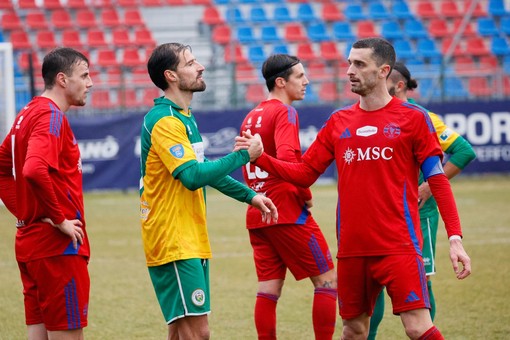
{"points": [[301, 248]]}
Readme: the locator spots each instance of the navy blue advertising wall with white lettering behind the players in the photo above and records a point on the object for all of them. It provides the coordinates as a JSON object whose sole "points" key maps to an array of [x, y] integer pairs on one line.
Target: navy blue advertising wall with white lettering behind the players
{"points": [[111, 151]]}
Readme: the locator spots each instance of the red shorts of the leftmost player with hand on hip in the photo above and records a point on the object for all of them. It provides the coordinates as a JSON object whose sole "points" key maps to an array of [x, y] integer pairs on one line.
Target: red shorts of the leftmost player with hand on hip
{"points": [[56, 291]]}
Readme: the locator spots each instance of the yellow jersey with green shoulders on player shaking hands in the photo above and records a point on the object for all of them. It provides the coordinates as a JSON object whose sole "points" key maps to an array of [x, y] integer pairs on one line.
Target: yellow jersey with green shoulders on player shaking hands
{"points": [[173, 217]]}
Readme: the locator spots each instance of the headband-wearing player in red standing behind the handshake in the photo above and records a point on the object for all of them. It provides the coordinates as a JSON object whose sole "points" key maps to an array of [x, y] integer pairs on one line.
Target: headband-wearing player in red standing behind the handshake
{"points": [[295, 241]]}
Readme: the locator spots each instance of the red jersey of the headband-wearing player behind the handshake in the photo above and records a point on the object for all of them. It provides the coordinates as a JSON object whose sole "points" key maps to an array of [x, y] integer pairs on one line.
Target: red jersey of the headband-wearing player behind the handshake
{"points": [[278, 126]]}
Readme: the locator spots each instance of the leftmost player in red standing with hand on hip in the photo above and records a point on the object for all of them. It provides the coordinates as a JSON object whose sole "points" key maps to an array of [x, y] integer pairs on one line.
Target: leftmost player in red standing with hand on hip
{"points": [[41, 185]]}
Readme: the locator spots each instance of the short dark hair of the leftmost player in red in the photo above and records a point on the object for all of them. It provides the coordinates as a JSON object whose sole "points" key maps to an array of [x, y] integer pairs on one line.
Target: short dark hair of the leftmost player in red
{"points": [[60, 59]]}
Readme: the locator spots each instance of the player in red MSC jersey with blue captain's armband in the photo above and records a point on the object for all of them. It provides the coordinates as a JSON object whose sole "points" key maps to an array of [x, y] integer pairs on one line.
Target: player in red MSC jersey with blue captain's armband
{"points": [[379, 145]]}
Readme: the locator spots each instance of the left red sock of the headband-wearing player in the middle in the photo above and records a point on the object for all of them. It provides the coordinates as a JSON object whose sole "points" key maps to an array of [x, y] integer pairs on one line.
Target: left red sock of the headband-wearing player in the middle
{"points": [[265, 316]]}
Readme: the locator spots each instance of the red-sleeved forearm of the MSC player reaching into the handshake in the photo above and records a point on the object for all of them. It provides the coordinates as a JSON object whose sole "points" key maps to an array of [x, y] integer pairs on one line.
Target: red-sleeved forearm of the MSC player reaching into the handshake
{"points": [[297, 173]]}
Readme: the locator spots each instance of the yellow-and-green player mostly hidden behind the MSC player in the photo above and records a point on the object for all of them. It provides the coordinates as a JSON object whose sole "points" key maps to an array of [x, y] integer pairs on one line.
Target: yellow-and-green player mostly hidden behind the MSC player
{"points": [[460, 154]]}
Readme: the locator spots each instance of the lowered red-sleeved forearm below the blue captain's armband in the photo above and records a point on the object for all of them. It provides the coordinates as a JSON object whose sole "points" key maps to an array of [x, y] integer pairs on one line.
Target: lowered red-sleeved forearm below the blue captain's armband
{"points": [[441, 189]]}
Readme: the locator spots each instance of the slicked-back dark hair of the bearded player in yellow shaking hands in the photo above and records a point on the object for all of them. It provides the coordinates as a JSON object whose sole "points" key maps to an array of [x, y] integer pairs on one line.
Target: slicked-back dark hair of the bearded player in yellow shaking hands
{"points": [[164, 57]]}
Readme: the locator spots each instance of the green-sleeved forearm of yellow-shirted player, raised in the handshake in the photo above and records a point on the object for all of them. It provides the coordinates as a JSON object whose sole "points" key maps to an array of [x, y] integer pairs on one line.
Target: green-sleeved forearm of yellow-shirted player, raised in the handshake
{"points": [[201, 174]]}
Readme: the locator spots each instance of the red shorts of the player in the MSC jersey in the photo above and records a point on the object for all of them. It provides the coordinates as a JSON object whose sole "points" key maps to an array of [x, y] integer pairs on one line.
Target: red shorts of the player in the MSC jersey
{"points": [[361, 279]]}
